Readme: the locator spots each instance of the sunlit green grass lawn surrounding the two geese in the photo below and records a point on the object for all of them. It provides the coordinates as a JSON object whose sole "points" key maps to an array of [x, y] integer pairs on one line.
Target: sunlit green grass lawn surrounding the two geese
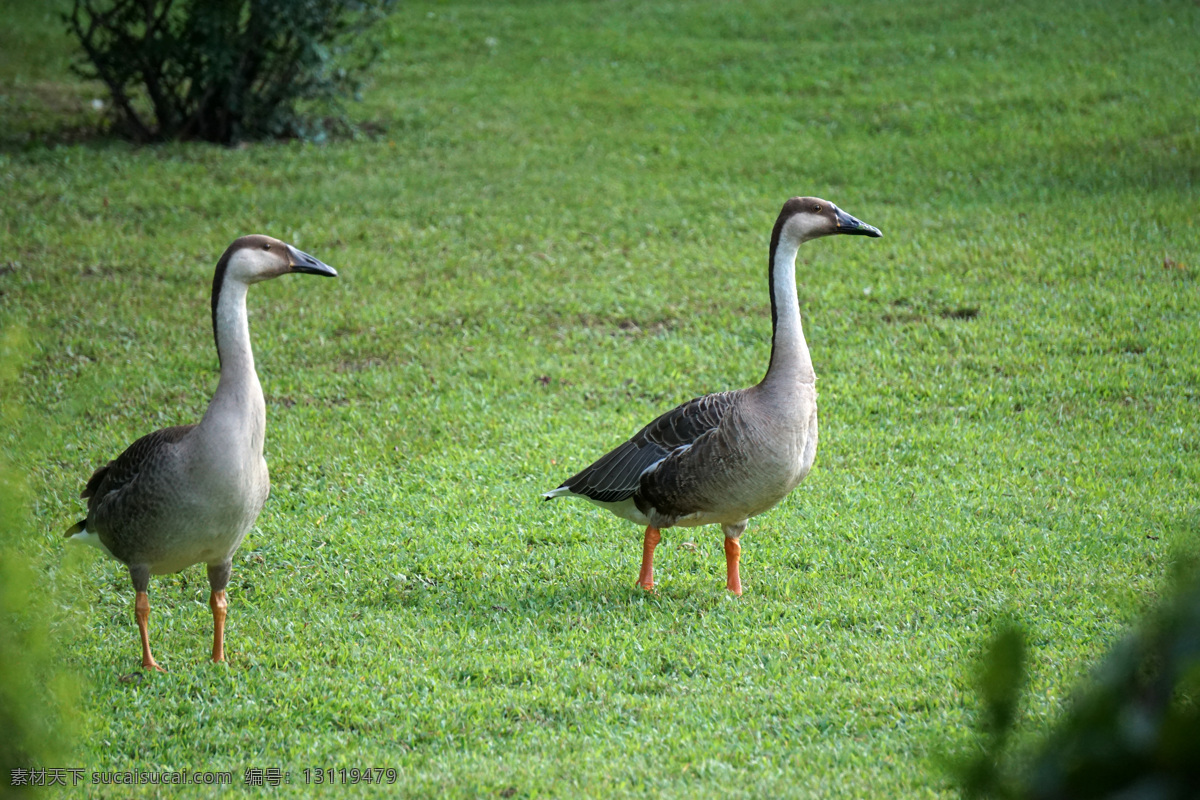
{"points": [[559, 232]]}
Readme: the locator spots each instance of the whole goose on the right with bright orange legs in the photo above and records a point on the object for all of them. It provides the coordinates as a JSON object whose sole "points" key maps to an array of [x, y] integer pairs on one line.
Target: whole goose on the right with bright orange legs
{"points": [[727, 458]]}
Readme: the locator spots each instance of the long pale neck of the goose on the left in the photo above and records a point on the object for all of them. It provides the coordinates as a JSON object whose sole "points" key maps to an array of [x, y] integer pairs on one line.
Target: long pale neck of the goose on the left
{"points": [[238, 408]]}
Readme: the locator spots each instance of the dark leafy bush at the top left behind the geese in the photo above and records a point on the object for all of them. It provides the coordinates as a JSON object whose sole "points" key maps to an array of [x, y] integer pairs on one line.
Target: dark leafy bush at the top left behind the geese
{"points": [[226, 70]]}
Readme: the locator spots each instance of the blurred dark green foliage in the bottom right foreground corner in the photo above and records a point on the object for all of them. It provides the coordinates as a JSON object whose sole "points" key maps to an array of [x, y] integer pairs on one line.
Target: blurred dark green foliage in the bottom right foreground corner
{"points": [[1135, 732]]}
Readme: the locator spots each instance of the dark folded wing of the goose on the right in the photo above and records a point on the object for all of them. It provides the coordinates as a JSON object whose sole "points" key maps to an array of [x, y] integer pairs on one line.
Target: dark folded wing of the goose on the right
{"points": [[617, 476]]}
